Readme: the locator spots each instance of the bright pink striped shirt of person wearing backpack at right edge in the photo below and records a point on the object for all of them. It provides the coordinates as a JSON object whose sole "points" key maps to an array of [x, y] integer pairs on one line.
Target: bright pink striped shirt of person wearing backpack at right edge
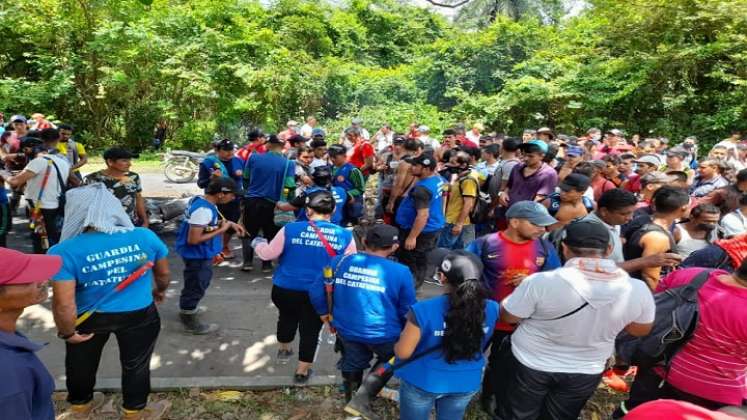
{"points": [[713, 363]]}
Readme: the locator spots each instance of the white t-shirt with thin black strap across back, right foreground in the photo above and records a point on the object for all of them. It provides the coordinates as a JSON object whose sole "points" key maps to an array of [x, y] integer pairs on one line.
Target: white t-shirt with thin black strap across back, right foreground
{"points": [[582, 342]]}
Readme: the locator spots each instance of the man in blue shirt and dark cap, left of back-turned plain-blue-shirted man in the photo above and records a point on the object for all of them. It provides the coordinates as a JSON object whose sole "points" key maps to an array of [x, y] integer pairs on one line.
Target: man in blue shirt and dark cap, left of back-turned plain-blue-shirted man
{"points": [[224, 164]]}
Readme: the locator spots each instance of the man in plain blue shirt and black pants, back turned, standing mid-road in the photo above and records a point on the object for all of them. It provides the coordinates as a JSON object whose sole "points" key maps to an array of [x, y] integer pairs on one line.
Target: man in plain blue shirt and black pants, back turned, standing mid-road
{"points": [[265, 177]]}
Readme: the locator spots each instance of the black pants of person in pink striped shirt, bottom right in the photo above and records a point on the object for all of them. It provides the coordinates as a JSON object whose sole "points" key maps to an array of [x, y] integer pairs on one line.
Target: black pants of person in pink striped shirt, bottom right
{"points": [[648, 386]]}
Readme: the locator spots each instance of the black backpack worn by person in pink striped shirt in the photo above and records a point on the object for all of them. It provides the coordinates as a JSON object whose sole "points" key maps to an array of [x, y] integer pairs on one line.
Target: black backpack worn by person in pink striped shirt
{"points": [[675, 321]]}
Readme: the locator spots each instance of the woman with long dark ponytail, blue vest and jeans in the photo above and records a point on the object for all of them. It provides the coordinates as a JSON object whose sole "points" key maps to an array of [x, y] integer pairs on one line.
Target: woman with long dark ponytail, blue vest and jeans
{"points": [[445, 336]]}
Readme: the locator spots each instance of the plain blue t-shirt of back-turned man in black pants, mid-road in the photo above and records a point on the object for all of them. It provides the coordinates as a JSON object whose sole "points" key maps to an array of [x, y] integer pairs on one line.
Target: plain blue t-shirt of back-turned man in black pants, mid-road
{"points": [[266, 174]]}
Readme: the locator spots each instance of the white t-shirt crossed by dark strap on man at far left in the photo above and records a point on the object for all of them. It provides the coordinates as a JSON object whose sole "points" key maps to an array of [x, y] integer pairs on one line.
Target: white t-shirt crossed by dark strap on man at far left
{"points": [[50, 195]]}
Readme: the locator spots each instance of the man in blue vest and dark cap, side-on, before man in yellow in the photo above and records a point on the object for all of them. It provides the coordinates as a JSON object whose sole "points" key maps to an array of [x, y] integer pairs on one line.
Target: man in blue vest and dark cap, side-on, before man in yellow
{"points": [[421, 216]]}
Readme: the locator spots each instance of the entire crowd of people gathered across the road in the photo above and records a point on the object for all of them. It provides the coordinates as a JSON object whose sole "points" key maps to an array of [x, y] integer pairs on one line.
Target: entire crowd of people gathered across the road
{"points": [[548, 247]]}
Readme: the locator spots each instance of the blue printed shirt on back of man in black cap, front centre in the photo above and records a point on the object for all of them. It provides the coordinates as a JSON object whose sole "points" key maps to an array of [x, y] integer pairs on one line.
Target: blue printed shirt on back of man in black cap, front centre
{"points": [[372, 296]]}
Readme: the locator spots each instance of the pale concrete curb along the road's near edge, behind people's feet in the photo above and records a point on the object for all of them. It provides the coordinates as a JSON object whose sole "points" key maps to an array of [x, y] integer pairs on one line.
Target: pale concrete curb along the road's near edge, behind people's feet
{"points": [[217, 382]]}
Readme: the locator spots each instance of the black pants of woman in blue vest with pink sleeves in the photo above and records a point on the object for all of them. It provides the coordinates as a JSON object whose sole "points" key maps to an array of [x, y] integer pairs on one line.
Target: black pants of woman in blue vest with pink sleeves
{"points": [[297, 313]]}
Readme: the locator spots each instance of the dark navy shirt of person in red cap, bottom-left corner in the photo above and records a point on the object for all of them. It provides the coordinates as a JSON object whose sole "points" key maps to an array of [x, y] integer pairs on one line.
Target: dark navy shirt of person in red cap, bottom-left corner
{"points": [[26, 387]]}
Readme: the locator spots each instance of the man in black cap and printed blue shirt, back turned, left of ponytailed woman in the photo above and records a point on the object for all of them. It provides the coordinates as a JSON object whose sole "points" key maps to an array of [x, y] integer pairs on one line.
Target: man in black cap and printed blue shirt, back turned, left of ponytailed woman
{"points": [[383, 287]]}
